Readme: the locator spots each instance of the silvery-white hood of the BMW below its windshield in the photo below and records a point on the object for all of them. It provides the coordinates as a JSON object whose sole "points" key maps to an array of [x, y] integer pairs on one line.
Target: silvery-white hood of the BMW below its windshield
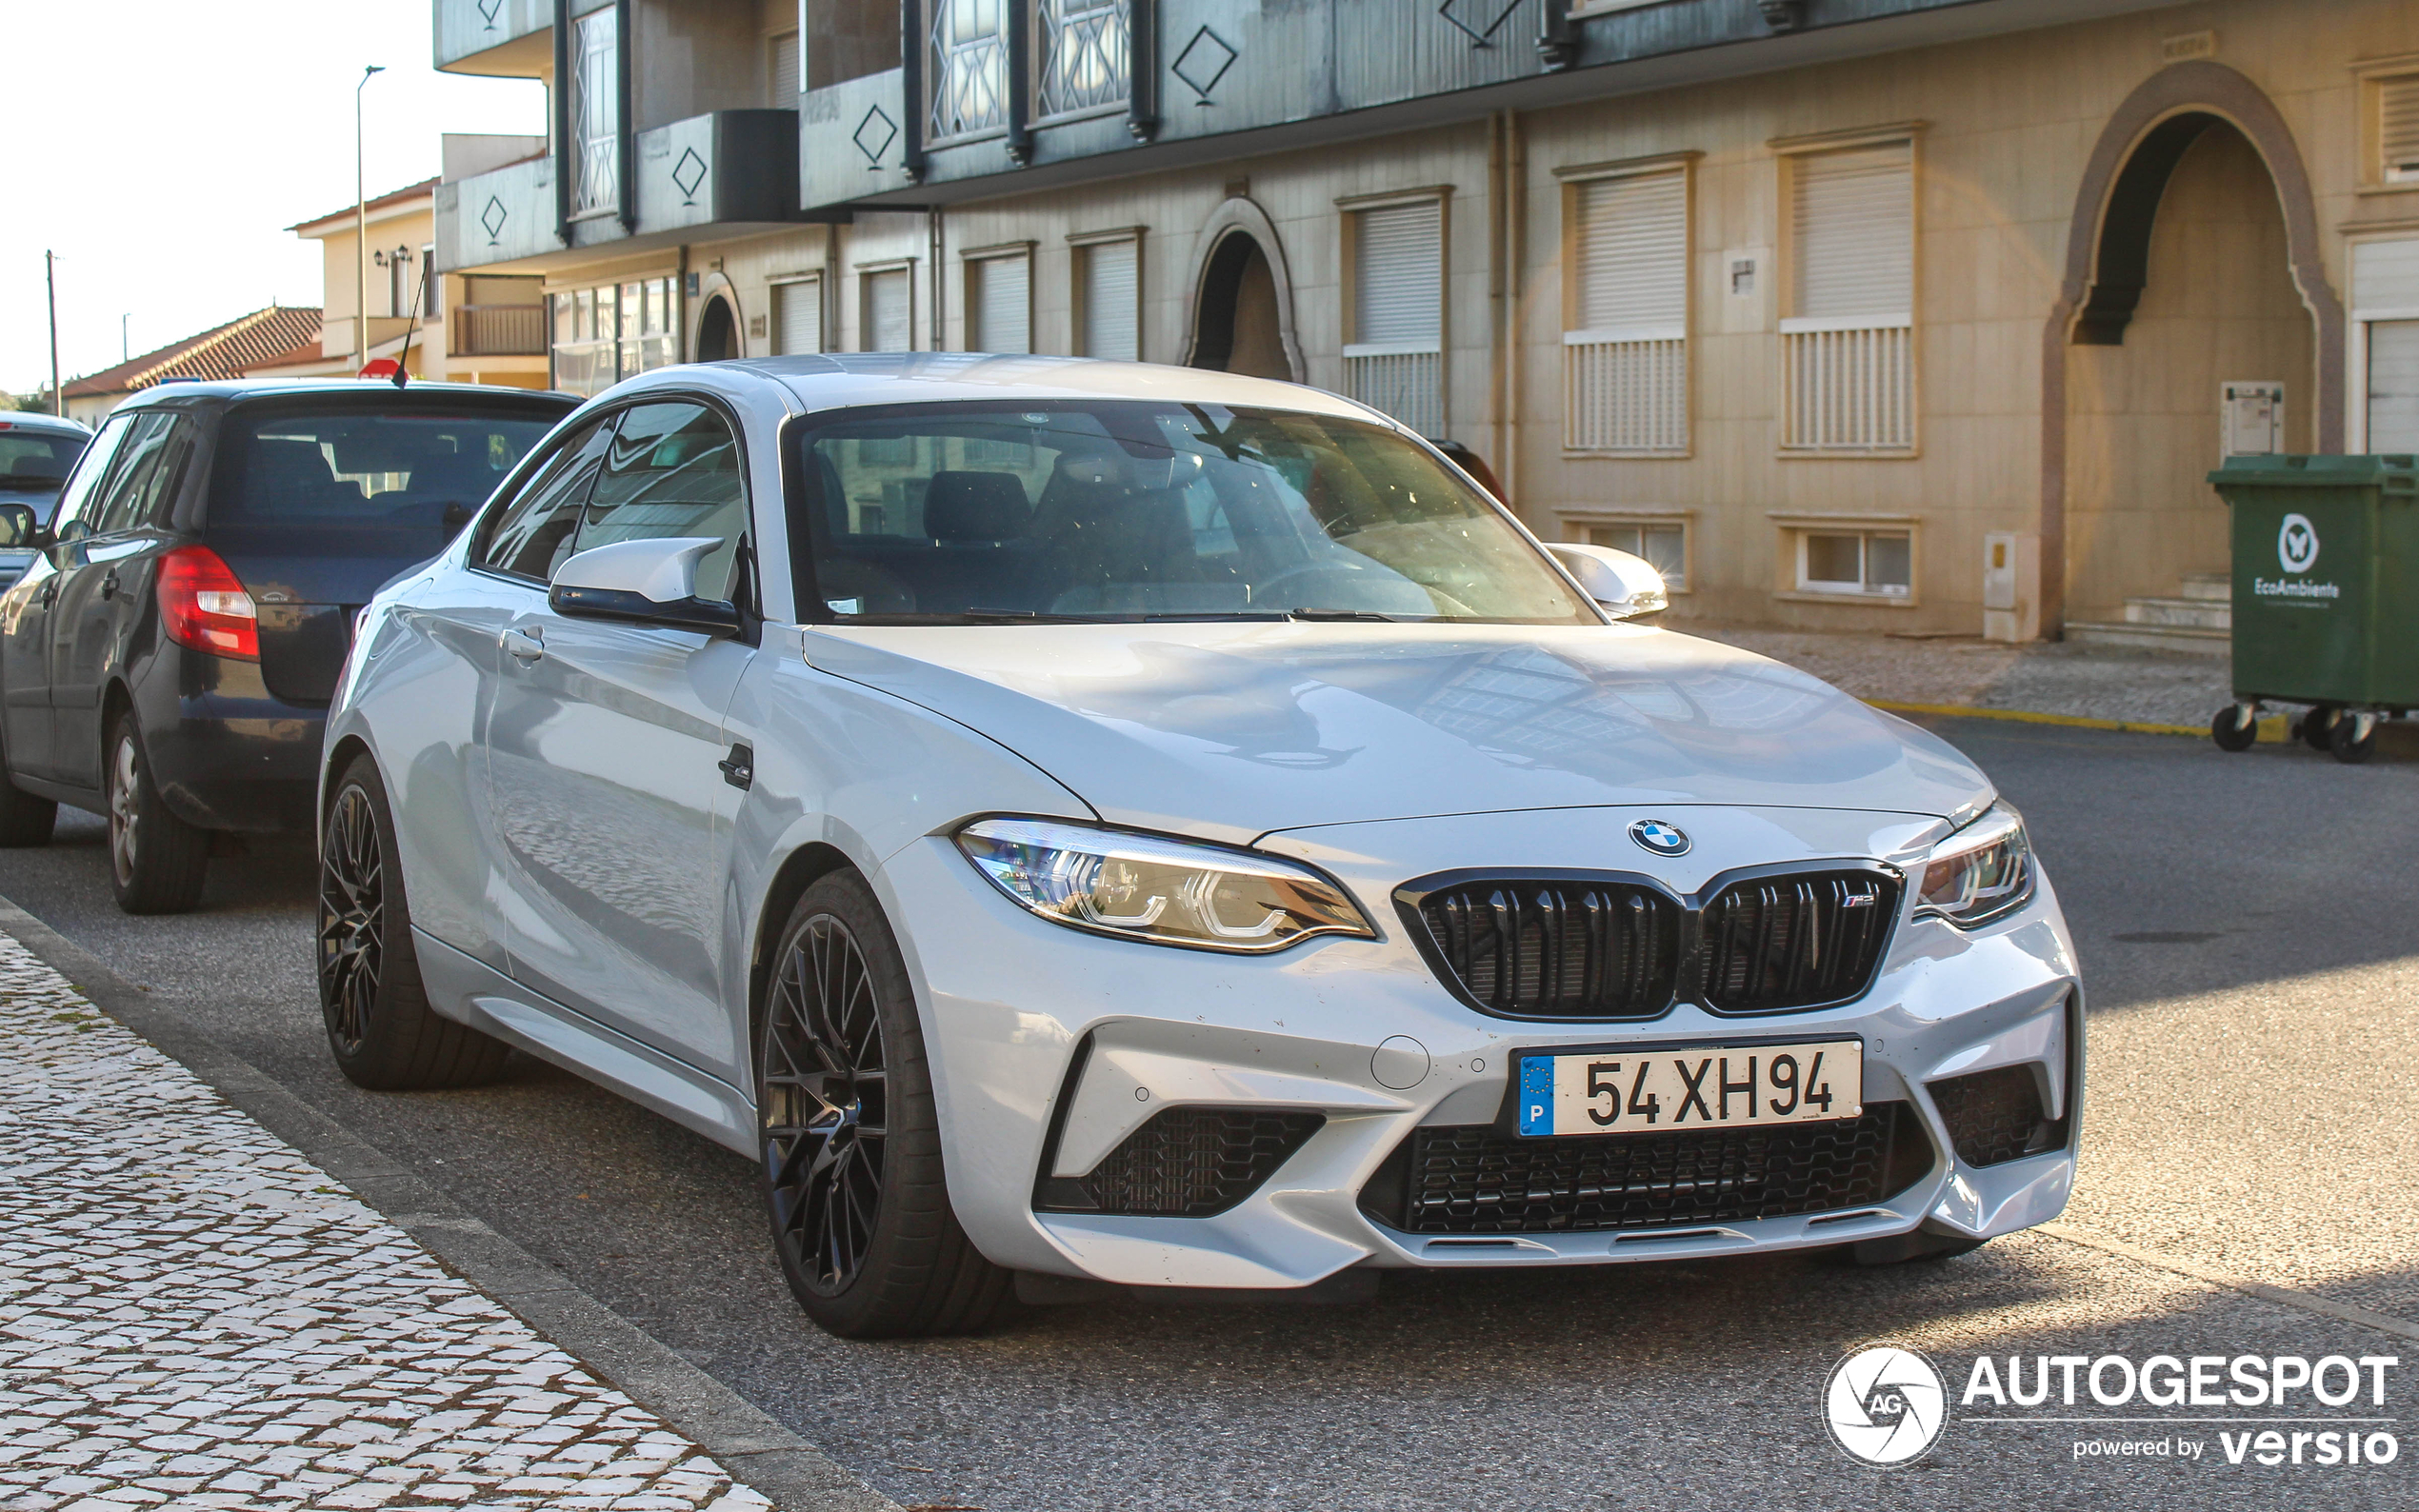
{"points": [[1240, 729]]}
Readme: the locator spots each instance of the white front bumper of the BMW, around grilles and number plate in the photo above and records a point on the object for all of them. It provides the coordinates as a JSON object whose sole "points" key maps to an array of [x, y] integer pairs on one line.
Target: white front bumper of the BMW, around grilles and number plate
{"points": [[1051, 1049]]}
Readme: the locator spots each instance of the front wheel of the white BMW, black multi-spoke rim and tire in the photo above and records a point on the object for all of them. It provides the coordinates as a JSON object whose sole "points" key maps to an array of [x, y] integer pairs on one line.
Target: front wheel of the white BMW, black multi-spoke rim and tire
{"points": [[853, 1145]]}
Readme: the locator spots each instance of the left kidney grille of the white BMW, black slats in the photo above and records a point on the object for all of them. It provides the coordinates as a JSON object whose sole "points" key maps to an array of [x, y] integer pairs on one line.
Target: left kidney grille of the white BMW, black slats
{"points": [[1547, 950]]}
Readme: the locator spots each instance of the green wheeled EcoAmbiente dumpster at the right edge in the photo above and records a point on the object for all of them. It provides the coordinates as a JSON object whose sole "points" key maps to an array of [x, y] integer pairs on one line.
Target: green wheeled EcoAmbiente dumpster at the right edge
{"points": [[2326, 604]]}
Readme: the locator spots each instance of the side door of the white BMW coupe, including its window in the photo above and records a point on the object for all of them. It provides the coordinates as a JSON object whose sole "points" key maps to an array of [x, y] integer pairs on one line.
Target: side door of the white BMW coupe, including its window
{"points": [[606, 754]]}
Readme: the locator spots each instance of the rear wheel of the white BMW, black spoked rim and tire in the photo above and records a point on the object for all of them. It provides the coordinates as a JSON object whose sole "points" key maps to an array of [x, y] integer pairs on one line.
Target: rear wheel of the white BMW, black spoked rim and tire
{"points": [[379, 1022]]}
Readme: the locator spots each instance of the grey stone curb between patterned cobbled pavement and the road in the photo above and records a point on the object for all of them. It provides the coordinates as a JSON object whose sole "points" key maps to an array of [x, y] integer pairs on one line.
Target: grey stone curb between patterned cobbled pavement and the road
{"points": [[749, 1443]]}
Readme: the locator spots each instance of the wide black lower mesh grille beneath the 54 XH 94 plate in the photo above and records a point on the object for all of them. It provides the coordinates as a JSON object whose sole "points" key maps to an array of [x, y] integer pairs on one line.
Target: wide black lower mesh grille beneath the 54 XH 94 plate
{"points": [[1484, 1182]]}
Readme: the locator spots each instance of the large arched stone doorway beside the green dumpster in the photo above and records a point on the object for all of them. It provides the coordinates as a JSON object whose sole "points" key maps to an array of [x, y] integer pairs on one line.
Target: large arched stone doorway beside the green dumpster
{"points": [[2193, 262]]}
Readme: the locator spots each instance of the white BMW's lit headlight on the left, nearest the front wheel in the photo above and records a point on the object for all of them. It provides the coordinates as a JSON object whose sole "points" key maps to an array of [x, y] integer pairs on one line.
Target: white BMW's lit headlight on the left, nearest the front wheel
{"points": [[1162, 891]]}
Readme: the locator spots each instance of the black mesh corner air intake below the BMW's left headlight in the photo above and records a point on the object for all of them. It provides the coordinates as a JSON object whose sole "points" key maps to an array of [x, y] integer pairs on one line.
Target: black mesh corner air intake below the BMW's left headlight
{"points": [[1187, 1162]]}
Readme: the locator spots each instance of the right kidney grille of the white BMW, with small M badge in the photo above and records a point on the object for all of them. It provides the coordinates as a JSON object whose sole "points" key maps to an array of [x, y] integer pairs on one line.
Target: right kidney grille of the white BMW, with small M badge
{"points": [[1794, 942]]}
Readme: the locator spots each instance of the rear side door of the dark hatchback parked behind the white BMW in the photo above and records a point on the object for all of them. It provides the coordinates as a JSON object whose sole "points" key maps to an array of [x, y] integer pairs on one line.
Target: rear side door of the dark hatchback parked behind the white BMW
{"points": [[105, 589]]}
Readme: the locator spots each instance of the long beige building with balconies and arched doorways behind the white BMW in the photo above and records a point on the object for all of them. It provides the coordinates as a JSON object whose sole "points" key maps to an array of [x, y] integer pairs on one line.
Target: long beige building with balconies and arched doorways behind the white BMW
{"points": [[1849, 313]]}
